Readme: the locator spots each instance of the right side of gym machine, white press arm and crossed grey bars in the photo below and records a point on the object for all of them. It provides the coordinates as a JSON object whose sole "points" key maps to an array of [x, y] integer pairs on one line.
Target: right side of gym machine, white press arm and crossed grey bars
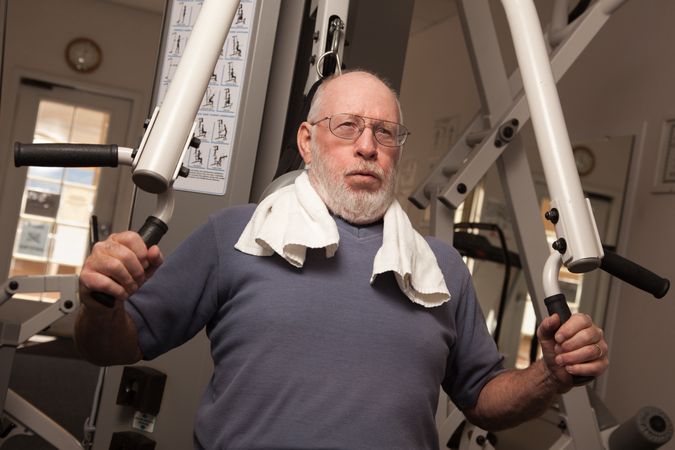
{"points": [[492, 137]]}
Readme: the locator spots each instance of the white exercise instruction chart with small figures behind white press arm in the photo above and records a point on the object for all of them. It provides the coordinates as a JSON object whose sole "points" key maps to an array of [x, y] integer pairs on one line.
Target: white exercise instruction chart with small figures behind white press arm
{"points": [[216, 120]]}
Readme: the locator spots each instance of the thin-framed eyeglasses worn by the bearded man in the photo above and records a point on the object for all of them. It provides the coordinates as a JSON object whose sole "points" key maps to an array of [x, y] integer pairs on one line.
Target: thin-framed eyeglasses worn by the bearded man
{"points": [[351, 126]]}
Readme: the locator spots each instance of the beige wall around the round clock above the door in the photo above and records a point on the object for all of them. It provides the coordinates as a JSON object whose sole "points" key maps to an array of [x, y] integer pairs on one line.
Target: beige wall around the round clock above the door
{"points": [[37, 32]]}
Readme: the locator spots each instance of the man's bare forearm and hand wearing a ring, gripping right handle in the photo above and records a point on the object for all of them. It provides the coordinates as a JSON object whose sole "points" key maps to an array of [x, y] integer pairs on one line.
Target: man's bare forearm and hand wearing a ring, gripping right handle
{"points": [[514, 396]]}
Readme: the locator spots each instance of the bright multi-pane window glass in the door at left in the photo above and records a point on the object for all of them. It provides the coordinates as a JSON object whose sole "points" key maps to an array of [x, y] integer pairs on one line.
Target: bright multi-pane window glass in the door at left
{"points": [[53, 232]]}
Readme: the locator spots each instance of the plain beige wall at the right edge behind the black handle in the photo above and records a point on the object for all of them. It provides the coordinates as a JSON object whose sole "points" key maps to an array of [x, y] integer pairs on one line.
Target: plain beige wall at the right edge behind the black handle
{"points": [[623, 85]]}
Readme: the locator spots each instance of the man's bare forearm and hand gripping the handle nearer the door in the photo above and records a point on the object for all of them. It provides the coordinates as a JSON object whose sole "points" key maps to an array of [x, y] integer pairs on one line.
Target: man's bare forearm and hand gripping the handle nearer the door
{"points": [[118, 267]]}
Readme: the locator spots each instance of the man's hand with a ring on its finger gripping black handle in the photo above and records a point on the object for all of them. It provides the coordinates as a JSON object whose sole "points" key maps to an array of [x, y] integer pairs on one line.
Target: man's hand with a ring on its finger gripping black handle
{"points": [[575, 348]]}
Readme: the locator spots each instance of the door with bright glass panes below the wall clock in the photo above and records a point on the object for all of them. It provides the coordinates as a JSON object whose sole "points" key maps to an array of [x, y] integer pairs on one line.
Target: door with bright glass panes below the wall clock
{"points": [[45, 211]]}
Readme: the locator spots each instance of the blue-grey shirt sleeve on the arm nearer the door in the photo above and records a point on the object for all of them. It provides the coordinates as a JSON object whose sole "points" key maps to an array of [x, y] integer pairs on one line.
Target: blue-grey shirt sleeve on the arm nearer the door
{"points": [[180, 298]]}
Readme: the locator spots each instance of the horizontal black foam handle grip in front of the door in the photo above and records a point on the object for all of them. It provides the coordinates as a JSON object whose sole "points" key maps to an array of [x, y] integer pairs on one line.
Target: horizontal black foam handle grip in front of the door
{"points": [[65, 155]]}
